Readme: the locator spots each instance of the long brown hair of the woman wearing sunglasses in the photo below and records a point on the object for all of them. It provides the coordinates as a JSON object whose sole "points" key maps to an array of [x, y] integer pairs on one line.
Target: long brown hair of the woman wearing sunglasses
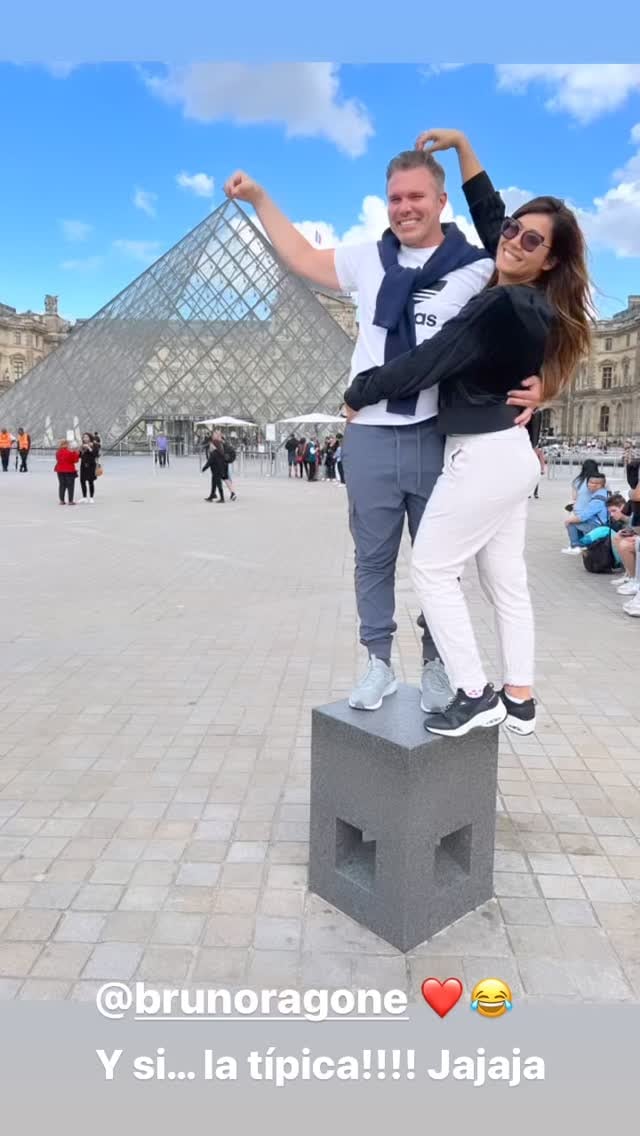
{"points": [[569, 291]]}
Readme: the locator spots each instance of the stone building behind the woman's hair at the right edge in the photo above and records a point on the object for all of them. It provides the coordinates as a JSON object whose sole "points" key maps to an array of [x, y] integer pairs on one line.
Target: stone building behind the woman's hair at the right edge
{"points": [[604, 399]]}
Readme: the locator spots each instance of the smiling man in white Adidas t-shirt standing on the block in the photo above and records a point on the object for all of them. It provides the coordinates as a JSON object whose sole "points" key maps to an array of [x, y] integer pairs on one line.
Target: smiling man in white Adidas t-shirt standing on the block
{"points": [[393, 454]]}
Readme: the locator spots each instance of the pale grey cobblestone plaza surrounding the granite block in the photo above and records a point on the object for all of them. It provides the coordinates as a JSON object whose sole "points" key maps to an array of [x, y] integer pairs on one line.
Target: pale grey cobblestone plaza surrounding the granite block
{"points": [[161, 658]]}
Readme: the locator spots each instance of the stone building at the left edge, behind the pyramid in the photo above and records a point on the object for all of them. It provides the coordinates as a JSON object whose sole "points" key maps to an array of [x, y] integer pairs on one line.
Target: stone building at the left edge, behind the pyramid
{"points": [[27, 338]]}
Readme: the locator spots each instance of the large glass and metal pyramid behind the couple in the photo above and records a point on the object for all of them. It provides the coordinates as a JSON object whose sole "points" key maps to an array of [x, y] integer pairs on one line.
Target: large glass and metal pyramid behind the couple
{"points": [[218, 325]]}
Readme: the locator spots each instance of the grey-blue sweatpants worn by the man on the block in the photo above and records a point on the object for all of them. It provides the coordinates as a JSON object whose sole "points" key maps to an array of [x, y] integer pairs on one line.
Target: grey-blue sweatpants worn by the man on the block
{"points": [[390, 473]]}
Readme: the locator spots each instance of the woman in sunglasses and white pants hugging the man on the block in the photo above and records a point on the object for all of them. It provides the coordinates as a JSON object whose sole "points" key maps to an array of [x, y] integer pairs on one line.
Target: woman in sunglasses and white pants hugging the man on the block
{"points": [[535, 314]]}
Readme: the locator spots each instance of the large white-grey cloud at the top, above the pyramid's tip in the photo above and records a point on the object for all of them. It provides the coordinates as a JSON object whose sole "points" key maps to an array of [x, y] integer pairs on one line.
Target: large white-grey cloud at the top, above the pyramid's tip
{"points": [[305, 98]]}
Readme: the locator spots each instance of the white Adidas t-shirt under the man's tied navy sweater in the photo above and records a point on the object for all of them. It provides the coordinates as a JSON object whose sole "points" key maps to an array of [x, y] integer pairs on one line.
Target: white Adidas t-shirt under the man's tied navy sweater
{"points": [[359, 268]]}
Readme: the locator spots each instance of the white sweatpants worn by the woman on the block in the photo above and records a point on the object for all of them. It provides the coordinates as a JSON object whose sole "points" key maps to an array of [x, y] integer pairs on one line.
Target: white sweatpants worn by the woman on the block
{"points": [[479, 509]]}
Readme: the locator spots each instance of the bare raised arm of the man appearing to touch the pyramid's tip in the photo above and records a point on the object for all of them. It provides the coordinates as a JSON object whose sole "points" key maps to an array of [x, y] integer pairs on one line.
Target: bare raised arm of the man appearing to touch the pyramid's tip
{"points": [[317, 265]]}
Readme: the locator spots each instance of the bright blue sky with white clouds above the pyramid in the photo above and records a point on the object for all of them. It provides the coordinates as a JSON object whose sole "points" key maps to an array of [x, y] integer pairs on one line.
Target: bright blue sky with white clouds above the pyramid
{"points": [[110, 165]]}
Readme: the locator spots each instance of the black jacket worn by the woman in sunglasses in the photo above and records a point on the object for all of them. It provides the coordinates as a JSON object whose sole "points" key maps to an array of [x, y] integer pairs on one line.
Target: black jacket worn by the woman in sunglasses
{"points": [[496, 341]]}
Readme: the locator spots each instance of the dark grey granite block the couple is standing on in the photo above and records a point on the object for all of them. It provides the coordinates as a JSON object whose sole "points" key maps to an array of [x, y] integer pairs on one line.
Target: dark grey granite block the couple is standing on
{"points": [[403, 823]]}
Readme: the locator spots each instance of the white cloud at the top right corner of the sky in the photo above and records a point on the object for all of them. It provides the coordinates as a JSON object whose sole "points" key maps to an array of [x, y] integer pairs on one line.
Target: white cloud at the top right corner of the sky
{"points": [[584, 90]]}
